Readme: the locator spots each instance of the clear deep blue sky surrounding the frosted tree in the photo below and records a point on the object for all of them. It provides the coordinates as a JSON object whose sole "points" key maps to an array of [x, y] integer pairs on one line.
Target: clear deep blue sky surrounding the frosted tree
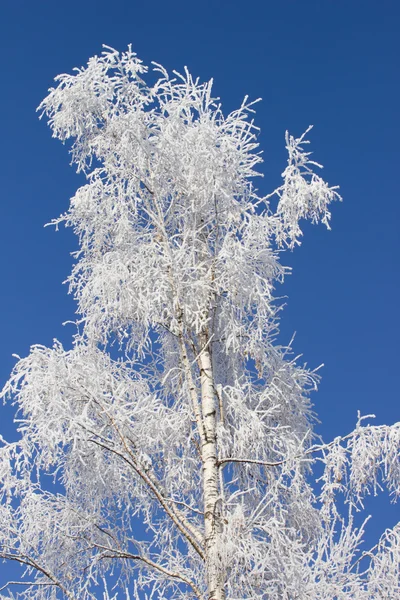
{"points": [[330, 63]]}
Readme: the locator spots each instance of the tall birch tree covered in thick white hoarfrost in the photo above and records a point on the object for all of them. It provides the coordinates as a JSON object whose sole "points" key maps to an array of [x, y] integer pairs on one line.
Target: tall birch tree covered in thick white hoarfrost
{"points": [[169, 453]]}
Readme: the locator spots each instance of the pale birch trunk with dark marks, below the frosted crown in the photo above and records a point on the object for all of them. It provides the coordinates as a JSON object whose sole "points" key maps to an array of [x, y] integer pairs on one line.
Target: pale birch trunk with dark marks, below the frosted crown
{"points": [[212, 521]]}
